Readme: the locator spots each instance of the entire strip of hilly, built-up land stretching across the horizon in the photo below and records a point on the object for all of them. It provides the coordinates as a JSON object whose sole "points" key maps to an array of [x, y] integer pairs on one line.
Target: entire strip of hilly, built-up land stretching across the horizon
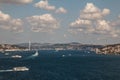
{"points": [[99, 49]]}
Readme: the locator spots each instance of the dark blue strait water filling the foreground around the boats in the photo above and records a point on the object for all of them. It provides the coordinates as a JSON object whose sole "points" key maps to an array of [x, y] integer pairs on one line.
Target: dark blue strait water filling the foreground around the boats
{"points": [[51, 65]]}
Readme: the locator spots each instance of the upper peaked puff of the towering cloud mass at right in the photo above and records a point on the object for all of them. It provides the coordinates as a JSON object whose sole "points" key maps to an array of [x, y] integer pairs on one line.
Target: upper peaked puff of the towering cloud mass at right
{"points": [[93, 12]]}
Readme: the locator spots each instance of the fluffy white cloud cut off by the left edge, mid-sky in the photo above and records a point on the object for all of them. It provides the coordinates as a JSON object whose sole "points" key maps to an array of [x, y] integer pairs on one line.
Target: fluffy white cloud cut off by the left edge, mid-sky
{"points": [[8, 23]]}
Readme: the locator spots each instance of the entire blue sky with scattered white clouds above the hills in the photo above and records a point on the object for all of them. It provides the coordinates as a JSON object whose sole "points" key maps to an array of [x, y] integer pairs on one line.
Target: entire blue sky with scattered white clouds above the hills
{"points": [[60, 21]]}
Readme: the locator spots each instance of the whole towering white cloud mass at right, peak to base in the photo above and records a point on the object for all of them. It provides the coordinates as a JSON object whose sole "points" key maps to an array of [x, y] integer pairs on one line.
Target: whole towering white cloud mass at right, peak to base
{"points": [[92, 20]]}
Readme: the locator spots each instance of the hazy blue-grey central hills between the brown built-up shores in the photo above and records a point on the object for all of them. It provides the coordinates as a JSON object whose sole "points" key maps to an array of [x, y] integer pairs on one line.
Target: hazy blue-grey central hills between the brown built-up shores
{"points": [[61, 46]]}
